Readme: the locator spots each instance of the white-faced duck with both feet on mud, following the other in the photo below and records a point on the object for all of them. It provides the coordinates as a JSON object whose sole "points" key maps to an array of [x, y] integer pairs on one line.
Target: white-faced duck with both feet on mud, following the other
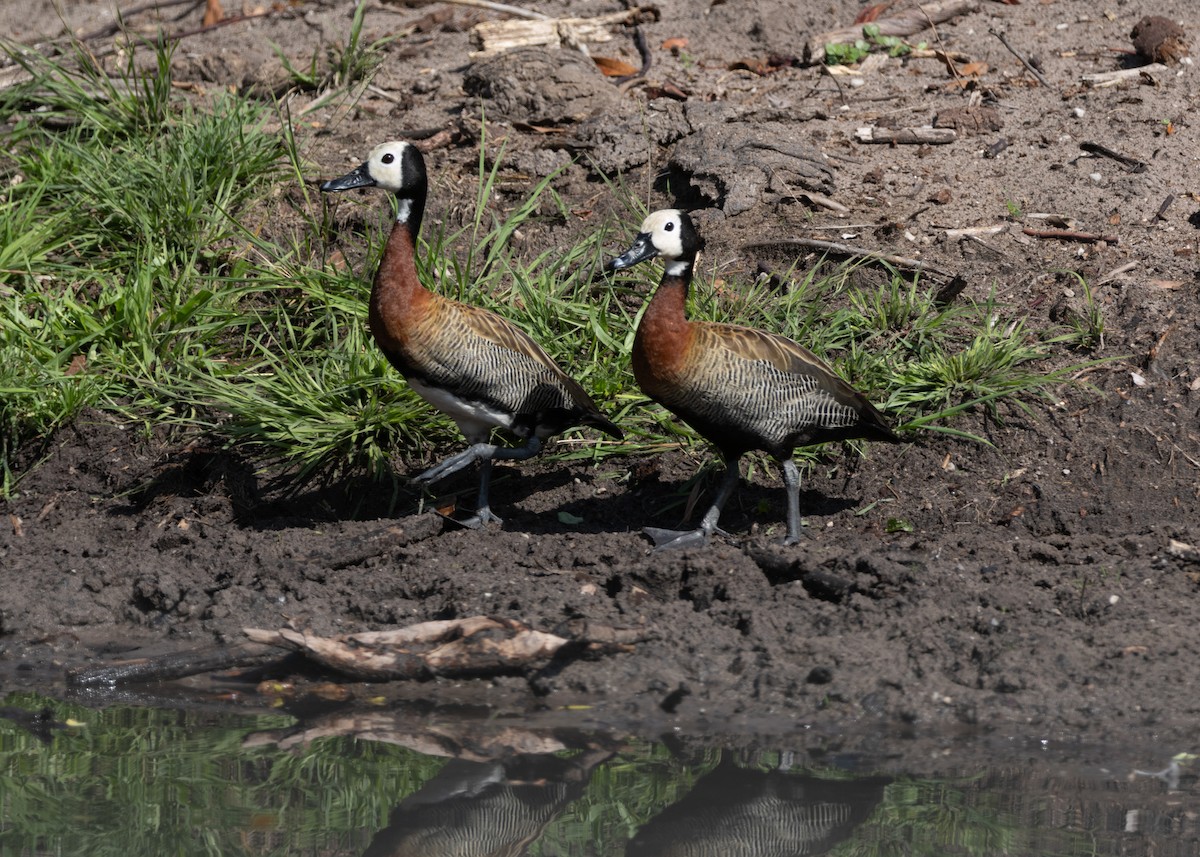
{"points": [[741, 388]]}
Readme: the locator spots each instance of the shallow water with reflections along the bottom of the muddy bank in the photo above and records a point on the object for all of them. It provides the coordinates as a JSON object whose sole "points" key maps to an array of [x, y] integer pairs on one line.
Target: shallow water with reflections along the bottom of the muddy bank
{"points": [[131, 780]]}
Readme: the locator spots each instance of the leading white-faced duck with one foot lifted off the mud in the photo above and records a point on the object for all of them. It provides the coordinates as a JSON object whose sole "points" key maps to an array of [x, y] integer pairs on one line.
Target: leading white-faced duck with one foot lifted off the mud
{"points": [[476, 367]]}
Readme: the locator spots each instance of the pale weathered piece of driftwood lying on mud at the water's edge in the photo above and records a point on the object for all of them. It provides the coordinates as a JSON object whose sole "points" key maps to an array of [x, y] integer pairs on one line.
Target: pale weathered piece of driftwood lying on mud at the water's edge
{"points": [[475, 646]]}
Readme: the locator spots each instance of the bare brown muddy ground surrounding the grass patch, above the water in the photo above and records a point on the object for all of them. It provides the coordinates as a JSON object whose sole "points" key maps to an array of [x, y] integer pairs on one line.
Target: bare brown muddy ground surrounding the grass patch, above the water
{"points": [[1048, 584]]}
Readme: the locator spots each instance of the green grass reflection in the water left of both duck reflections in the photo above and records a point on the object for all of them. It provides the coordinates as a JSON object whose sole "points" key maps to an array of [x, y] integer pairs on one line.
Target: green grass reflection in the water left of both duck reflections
{"points": [[146, 782]]}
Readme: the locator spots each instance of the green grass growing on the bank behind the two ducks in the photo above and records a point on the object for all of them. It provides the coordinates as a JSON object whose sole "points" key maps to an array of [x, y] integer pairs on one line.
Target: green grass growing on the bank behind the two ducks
{"points": [[140, 275]]}
